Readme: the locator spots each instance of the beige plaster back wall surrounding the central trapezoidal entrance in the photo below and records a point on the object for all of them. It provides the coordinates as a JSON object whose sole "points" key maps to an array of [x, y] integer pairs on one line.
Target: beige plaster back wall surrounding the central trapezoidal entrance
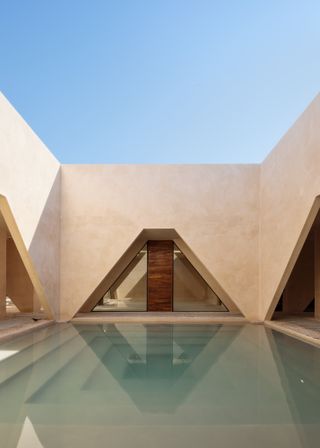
{"points": [[214, 208]]}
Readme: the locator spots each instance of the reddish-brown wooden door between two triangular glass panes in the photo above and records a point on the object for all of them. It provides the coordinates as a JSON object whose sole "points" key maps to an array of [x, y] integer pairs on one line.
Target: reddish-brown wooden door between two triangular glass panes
{"points": [[160, 275]]}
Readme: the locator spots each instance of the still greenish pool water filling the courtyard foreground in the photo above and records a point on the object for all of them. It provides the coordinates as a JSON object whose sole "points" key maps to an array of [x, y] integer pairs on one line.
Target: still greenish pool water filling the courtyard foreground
{"points": [[130, 385]]}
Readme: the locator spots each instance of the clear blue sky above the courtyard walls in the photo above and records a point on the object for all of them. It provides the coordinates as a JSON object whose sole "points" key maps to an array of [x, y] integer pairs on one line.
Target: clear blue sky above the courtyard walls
{"points": [[160, 81]]}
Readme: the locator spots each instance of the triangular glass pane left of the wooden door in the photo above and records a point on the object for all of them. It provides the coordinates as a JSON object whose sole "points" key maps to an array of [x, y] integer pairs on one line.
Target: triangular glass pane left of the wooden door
{"points": [[129, 292]]}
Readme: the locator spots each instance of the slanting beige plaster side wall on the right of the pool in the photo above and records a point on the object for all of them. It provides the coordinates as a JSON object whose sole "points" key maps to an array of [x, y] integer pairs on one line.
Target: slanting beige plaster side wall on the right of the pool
{"points": [[290, 182]]}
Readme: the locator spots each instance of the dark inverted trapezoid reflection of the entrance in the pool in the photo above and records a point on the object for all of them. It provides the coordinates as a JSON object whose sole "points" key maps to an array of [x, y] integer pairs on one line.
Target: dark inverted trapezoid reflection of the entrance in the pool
{"points": [[157, 365]]}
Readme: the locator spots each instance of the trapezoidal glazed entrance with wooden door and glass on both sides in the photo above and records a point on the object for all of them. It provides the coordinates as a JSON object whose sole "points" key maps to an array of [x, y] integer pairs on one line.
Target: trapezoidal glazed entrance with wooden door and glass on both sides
{"points": [[160, 278]]}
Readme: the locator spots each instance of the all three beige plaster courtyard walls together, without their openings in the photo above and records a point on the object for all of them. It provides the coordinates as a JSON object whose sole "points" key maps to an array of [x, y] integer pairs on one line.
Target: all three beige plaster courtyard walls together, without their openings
{"points": [[245, 223]]}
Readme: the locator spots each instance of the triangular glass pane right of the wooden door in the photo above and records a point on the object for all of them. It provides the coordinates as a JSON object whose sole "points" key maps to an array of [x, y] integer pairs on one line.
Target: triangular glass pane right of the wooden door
{"points": [[190, 291]]}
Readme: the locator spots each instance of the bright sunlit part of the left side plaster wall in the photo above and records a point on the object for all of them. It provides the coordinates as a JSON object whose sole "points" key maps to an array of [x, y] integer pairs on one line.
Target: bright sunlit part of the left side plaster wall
{"points": [[28, 170]]}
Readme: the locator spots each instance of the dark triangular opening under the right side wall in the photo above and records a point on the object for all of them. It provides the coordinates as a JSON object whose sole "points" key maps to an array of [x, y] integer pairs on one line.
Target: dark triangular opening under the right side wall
{"points": [[299, 294]]}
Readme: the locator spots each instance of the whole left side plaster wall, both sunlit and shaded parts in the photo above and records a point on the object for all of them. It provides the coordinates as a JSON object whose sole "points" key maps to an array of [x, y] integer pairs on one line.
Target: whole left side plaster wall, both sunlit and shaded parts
{"points": [[27, 174]]}
